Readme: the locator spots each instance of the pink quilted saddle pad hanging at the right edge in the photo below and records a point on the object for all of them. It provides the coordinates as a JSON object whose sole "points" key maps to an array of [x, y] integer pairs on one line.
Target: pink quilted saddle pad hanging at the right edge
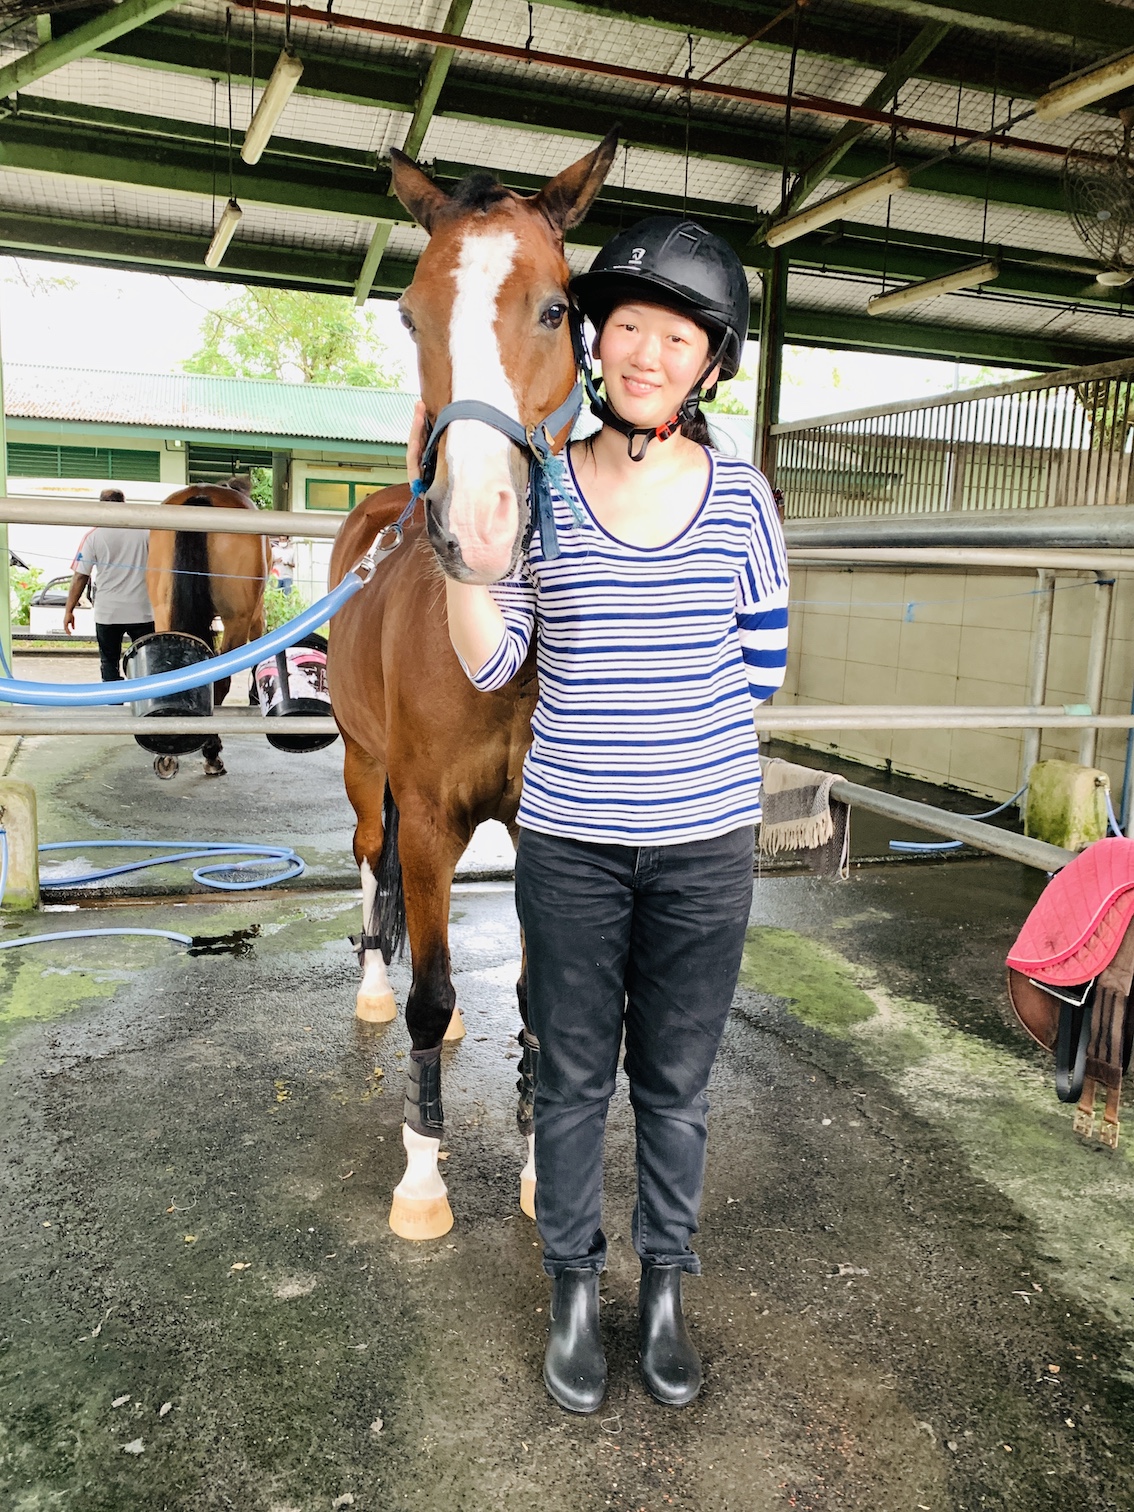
{"points": [[1082, 917]]}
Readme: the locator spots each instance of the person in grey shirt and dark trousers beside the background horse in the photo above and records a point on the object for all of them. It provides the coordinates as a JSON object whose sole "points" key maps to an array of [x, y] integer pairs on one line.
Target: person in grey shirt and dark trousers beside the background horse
{"points": [[117, 559]]}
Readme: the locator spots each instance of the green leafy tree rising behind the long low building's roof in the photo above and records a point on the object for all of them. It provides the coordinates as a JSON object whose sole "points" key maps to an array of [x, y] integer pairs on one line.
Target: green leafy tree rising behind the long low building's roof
{"points": [[296, 338]]}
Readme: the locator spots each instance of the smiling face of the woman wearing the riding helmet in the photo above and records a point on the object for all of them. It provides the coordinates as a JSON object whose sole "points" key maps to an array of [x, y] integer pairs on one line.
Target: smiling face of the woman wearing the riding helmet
{"points": [[651, 361]]}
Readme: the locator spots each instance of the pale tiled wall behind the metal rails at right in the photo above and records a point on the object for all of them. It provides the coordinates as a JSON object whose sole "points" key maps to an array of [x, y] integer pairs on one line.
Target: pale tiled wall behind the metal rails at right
{"points": [[878, 636]]}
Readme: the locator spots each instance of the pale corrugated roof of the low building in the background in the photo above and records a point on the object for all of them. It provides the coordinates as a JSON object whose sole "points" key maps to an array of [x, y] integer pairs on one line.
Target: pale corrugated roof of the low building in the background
{"points": [[194, 403]]}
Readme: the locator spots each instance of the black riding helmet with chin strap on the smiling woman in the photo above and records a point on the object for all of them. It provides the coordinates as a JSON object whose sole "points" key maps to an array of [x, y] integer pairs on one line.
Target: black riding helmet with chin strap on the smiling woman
{"points": [[686, 268]]}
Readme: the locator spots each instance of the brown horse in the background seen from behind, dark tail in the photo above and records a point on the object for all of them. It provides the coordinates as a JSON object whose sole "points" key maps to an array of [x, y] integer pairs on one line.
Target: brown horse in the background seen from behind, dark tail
{"points": [[196, 578]]}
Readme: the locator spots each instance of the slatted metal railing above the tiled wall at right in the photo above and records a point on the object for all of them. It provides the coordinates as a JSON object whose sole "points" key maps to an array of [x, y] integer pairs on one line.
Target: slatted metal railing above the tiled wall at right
{"points": [[1062, 439]]}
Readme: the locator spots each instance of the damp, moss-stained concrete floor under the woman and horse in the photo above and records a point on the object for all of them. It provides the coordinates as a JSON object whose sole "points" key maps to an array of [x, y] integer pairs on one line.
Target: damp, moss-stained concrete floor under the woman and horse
{"points": [[902, 1238]]}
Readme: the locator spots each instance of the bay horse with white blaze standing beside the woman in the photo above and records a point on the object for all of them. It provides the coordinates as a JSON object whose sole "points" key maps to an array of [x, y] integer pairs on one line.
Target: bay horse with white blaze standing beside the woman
{"points": [[427, 757]]}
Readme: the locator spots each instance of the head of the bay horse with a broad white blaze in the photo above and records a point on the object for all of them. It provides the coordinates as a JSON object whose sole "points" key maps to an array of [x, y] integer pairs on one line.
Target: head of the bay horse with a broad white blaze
{"points": [[489, 312]]}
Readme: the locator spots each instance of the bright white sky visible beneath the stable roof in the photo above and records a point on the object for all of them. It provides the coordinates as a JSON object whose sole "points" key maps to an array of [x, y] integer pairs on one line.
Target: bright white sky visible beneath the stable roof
{"points": [[152, 323]]}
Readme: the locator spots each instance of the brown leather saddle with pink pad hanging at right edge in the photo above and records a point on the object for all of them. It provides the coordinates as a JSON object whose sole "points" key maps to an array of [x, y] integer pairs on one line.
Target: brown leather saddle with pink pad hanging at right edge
{"points": [[1070, 981]]}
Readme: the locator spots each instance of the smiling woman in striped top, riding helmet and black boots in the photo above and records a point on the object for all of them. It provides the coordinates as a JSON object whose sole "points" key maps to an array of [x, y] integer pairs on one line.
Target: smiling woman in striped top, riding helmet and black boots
{"points": [[660, 627]]}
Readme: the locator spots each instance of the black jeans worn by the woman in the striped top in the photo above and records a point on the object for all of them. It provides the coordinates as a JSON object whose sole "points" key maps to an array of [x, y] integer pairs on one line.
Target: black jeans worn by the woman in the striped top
{"points": [[648, 940]]}
